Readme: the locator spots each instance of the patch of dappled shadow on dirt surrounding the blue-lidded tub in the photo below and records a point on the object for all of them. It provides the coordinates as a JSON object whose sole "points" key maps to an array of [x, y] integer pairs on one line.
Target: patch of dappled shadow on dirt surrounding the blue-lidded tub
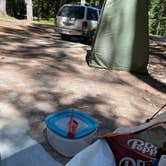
{"points": [[36, 116]]}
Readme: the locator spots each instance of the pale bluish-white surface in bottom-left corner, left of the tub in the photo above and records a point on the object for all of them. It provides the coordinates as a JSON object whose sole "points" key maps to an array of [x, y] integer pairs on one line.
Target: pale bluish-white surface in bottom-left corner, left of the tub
{"points": [[18, 149]]}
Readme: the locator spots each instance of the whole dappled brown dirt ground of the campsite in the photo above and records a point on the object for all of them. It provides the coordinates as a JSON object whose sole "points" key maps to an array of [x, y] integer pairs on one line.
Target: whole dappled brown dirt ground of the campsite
{"points": [[40, 74]]}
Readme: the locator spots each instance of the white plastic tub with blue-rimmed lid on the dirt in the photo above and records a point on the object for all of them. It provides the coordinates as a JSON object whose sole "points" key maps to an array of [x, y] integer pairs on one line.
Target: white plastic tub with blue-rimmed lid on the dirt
{"points": [[85, 133]]}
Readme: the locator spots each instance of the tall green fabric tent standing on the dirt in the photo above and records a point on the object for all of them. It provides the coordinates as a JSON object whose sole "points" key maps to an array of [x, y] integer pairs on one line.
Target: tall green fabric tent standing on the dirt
{"points": [[121, 41]]}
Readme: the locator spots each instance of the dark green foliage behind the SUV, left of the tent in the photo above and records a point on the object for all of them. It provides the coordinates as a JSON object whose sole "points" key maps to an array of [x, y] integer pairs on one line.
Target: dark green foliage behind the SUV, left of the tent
{"points": [[42, 9]]}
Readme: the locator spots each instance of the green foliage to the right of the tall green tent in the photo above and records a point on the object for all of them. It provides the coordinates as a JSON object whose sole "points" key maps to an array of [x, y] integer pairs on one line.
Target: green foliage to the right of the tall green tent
{"points": [[157, 17]]}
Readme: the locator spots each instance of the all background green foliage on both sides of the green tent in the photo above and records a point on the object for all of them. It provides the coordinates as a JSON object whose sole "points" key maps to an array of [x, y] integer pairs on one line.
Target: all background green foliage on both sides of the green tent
{"points": [[46, 9]]}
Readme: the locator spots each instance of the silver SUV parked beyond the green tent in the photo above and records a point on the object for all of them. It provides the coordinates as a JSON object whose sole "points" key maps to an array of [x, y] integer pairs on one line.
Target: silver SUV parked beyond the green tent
{"points": [[77, 20]]}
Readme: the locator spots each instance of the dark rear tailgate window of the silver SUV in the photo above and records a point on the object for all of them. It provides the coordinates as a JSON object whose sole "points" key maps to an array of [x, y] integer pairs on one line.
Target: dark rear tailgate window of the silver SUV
{"points": [[72, 12]]}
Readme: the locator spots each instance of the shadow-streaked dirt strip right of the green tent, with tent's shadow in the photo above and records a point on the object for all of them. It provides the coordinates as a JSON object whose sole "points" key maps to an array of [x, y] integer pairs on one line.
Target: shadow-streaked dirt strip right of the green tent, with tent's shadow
{"points": [[157, 66]]}
